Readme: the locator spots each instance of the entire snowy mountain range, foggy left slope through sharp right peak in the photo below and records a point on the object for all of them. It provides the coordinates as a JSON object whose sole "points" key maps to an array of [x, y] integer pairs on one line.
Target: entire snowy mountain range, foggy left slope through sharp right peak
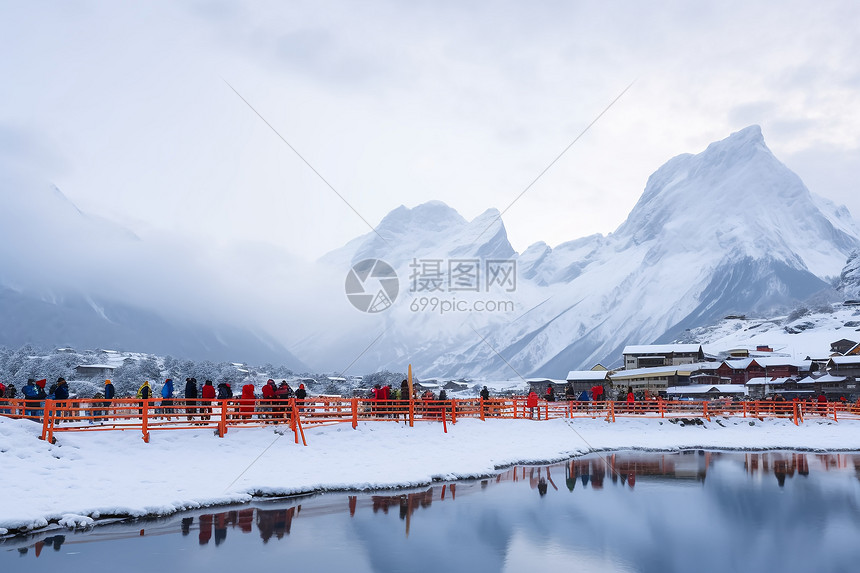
{"points": [[727, 230]]}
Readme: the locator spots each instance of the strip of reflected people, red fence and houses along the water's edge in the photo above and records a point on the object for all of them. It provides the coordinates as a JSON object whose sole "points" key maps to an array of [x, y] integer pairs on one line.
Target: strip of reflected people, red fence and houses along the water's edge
{"points": [[274, 520]]}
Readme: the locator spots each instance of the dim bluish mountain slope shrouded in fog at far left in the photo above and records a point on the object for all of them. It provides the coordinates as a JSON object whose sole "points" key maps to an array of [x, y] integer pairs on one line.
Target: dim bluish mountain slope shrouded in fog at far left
{"points": [[68, 278]]}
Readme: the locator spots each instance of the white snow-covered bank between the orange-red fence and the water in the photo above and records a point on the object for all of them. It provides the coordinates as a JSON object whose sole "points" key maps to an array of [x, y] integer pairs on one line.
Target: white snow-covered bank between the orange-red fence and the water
{"points": [[89, 476]]}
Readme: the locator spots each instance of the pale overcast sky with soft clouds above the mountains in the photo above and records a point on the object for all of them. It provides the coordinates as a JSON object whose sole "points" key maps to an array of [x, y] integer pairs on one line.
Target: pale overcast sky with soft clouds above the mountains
{"points": [[125, 107]]}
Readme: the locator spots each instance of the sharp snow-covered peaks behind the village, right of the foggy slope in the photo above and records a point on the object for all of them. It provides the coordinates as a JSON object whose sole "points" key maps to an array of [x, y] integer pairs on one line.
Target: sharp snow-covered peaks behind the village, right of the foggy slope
{"points": [[727, 231]]}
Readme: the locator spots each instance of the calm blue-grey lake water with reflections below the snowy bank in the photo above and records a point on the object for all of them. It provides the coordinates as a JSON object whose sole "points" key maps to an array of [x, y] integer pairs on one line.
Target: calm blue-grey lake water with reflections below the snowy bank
{"points": [[628, 511]]}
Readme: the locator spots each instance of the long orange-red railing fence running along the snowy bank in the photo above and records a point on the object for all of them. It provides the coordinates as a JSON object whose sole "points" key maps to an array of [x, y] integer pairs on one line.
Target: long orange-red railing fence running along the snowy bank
{"points": [[151, 415]]}
